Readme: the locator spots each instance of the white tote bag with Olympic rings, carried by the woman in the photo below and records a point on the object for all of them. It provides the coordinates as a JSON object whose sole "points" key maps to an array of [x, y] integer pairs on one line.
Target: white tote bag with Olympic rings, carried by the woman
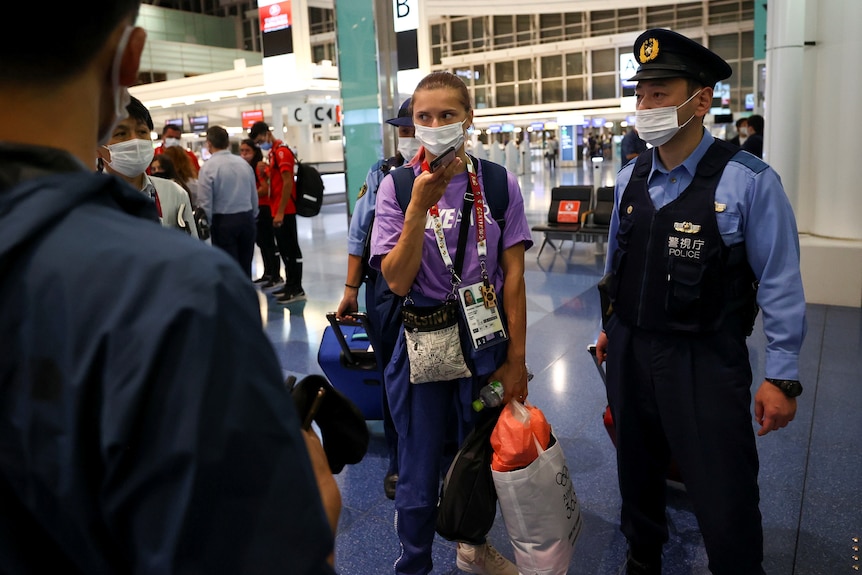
{"points": [[541, 512]]}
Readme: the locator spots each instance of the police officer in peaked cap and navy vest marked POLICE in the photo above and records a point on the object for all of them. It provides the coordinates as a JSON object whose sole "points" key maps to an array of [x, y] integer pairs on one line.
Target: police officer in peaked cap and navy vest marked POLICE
{"points": [[700, 235]]}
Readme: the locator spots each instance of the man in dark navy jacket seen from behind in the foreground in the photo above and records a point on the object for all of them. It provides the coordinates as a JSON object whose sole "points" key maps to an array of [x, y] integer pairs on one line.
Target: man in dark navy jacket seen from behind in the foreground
{"points": [[144, 426]]}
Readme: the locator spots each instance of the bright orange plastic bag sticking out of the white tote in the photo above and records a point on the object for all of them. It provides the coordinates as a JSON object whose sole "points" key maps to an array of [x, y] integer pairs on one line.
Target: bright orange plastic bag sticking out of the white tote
{"points": [[512, 438]]}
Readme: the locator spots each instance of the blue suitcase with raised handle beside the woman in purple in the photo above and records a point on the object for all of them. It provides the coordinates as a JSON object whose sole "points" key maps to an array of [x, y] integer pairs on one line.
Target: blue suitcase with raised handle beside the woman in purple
{"points": [[347, 358]]}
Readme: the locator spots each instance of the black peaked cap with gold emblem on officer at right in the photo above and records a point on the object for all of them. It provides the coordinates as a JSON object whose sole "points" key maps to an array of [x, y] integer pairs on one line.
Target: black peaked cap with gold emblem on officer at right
{"points": [[665, 54]]}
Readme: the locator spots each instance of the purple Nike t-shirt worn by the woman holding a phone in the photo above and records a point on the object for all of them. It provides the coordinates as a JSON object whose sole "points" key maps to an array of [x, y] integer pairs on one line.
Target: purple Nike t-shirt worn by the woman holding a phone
{"points": [[433, 279]]}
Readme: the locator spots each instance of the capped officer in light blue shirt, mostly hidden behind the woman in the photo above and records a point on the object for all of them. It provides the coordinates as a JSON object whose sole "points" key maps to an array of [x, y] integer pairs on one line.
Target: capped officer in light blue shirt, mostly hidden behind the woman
{"points": [[381, 305]]}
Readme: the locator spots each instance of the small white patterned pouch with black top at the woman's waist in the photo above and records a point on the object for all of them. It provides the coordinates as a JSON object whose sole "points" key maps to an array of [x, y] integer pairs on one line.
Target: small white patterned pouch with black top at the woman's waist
{"points": [[433, 342]]}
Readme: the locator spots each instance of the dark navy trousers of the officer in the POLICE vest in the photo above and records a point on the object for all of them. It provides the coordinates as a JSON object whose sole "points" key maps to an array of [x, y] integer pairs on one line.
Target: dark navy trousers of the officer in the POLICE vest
{"points": [[689, 395]]}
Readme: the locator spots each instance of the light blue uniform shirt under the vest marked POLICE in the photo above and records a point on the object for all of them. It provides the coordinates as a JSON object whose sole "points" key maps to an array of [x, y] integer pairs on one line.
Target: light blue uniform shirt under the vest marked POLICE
{"points": [[751, 206]]}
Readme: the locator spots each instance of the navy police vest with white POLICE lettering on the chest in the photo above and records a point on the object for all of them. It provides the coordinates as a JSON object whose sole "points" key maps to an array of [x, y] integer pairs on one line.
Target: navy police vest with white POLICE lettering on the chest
{"points": [[672, 271]]}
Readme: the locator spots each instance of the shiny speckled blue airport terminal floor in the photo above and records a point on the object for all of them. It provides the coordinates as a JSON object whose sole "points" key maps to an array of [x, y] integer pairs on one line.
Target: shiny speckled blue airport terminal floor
{"points": [[810, 472]]}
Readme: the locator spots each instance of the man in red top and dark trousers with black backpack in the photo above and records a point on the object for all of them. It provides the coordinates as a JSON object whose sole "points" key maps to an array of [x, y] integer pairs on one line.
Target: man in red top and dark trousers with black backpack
{"points": [[282, 202]]}
